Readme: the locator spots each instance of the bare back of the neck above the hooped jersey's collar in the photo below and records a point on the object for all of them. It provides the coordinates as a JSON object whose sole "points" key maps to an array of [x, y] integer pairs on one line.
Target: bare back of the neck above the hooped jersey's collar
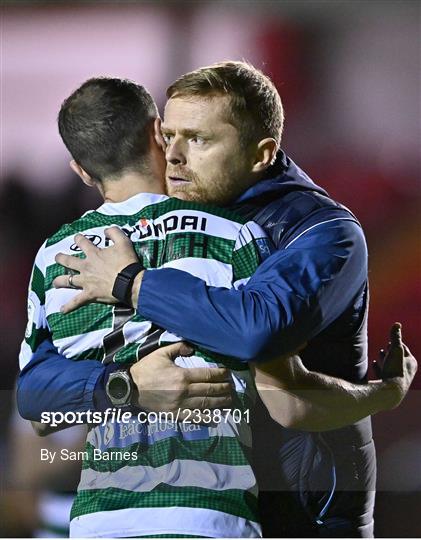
{"points": [[128, 185]]}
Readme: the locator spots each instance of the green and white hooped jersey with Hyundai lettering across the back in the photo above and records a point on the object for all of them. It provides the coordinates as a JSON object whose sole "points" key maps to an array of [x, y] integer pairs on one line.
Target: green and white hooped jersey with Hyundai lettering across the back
{"points": [[178, 478]]}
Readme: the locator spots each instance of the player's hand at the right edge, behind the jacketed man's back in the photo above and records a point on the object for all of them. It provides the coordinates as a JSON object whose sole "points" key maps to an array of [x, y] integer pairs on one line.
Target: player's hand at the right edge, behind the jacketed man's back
{"points": [[397, 367]]}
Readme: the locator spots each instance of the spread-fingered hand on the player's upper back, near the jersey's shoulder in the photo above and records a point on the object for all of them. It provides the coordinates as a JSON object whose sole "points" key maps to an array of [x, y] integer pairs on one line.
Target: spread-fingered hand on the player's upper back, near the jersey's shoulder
{"points": [[97, 273]]}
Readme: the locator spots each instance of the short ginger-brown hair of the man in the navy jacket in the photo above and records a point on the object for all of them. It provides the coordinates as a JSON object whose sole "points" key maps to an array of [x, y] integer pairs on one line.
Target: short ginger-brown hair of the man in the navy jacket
{"points": [[256, 106]]}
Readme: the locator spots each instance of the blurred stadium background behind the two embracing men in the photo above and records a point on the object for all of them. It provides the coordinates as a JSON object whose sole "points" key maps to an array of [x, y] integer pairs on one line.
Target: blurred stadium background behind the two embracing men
{"points": [[348, 74]]}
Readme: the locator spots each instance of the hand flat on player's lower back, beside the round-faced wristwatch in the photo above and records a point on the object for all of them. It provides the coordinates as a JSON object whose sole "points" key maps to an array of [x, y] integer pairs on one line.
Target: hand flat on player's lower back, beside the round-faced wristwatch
{"points": [[163, 386]]}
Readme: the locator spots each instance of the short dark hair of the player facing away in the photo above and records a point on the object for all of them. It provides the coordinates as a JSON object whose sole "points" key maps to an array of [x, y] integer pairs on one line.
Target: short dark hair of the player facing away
{"points": [[104, 125]]}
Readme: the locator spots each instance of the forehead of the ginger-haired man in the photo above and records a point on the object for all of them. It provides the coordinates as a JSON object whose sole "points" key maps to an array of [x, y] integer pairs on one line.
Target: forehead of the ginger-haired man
{"points": [[191, 111]]}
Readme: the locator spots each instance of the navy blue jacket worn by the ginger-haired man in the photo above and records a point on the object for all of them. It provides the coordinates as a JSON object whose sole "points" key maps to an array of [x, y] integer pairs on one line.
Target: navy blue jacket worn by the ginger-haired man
{"points": [[313, 289]]}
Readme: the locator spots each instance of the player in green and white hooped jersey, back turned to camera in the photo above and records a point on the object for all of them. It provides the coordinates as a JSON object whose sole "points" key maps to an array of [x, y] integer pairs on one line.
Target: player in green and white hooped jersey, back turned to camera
{"points": [[147, 475]]}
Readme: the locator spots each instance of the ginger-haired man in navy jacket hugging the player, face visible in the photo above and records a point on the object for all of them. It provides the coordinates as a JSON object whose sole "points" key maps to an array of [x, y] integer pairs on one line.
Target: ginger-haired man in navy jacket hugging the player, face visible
{"points": [[313, 289]]}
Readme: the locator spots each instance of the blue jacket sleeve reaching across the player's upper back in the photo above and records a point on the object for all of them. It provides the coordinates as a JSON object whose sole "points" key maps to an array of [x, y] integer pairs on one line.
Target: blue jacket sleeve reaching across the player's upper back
{"points": [[294, 295]]}
